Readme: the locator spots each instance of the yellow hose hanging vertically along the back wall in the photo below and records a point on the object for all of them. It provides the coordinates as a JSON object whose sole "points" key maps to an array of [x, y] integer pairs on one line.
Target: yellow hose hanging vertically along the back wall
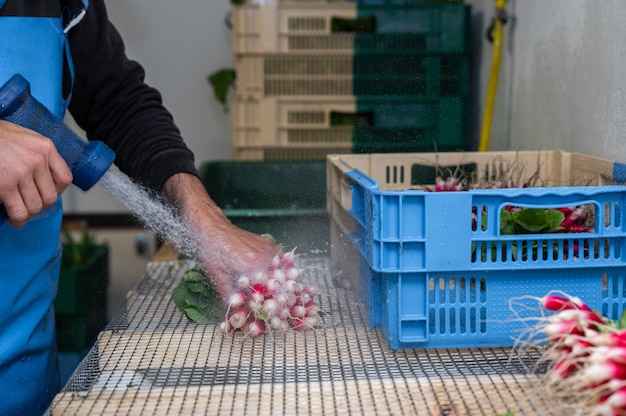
{"points": [[485, 131]]}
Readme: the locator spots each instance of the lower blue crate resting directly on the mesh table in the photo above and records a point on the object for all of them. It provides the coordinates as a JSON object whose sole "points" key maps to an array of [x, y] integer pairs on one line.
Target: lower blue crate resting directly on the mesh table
{"points": [[472, 309]]}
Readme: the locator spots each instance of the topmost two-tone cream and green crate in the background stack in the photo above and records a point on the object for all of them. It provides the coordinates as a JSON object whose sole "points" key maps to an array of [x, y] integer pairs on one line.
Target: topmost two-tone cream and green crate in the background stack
{"points": [[307, 27]]}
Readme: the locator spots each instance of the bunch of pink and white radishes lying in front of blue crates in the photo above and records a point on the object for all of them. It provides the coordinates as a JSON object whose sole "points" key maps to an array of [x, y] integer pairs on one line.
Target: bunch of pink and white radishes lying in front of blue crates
{"points": [[588, 353]]}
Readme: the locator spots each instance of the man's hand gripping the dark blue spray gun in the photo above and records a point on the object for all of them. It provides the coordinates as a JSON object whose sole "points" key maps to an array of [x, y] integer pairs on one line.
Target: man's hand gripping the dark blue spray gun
{"points": [[32, 173]]}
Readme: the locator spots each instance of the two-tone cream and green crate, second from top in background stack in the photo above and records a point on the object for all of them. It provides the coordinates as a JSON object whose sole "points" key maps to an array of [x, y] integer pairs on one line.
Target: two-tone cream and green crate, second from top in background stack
{"points": [[425, 75]]}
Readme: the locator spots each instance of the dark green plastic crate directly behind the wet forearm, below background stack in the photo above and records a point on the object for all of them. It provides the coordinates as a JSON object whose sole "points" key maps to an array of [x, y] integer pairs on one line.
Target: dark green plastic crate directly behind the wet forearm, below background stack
{"points": [[286, 199]]}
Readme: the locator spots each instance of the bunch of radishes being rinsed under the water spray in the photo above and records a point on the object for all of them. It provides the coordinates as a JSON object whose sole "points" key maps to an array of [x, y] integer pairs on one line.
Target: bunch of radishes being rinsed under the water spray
{"points": [[275, 300]]}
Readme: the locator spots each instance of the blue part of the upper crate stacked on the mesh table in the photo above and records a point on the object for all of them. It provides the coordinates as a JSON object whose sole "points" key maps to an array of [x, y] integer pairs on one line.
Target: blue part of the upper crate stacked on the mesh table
{"points": [[432, 231]]}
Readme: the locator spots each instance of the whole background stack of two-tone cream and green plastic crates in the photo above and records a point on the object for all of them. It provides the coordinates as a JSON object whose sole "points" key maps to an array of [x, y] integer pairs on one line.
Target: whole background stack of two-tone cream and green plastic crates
{"points": [[317, 77]]}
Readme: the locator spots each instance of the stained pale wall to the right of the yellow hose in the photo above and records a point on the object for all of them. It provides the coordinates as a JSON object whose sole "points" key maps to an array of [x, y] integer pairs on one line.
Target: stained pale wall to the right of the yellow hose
{"points": [[569, 76]]}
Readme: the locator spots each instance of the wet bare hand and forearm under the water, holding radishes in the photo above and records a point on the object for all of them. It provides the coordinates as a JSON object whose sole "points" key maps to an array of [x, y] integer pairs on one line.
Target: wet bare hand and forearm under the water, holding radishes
{"points": [[225, 251]]}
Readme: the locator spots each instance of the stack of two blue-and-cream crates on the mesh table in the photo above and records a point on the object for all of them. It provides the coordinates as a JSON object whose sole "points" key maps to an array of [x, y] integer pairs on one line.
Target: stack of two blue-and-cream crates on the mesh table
{"points": [[434, 276]]}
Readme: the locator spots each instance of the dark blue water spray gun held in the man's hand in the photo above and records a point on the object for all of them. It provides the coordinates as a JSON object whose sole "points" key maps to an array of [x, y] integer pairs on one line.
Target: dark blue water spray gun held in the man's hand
{"points": [[88, 161]]}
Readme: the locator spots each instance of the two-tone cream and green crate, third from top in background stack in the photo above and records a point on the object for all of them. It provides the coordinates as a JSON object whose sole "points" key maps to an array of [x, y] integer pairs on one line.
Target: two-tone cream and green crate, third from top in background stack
{"points": [[362, 125]]}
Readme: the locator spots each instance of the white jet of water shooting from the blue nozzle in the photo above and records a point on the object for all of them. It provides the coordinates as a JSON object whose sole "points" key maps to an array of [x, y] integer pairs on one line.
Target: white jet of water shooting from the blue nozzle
{"points": [[148, 208]]}
